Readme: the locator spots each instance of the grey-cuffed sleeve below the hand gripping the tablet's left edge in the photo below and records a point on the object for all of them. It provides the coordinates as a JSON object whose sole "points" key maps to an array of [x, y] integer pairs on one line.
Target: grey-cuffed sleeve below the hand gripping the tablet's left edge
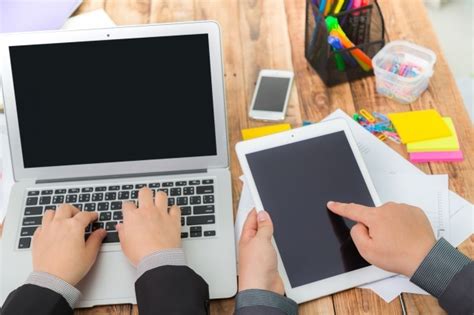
{"points": [[261, 302]]}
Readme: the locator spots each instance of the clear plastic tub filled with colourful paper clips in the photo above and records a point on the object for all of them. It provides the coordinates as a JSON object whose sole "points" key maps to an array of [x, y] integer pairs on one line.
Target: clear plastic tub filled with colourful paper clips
{"points": [[403, 70]]}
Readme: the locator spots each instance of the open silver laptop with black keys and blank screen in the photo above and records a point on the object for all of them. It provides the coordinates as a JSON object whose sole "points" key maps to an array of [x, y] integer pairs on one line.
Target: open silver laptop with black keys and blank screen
{"points": [[95, 115]]}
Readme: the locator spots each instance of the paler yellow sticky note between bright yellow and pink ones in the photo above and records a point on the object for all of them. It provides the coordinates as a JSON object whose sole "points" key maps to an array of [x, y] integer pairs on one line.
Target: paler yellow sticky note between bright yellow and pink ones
{"points": [[436, 145]]}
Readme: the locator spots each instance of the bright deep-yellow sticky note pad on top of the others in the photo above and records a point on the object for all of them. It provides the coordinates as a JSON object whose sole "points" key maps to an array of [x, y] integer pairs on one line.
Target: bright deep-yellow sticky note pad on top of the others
{"points": [[419, 125]]}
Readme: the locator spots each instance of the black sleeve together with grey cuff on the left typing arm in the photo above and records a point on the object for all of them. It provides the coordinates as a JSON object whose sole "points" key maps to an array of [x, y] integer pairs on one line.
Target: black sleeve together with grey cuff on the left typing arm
{"points": [[42, 293]]}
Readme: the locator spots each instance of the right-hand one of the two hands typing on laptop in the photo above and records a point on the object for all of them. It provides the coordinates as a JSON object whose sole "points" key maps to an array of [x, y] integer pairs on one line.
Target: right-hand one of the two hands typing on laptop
{"points": [[149, 228]]}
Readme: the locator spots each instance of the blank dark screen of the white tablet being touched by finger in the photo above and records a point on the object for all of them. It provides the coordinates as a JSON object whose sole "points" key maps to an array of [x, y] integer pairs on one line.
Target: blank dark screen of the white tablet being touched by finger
{"points": [[295, 182]]}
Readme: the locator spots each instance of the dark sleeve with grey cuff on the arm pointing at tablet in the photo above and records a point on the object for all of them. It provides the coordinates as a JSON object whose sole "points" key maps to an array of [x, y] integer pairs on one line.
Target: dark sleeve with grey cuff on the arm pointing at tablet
{"points": [[449, 276]]}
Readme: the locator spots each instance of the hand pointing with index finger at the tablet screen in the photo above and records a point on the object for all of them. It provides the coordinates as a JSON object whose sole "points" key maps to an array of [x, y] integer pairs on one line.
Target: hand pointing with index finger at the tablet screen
{"points": [[394, 237]]}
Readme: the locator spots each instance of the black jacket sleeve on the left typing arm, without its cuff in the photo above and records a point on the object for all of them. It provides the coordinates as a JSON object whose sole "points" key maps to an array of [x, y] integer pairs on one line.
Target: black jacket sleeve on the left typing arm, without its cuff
{"points": [[32, 299]]}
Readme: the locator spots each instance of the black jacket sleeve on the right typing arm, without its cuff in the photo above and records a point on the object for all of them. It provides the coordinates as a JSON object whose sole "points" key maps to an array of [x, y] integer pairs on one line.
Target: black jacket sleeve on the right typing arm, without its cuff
{"points": [[172, 290]]}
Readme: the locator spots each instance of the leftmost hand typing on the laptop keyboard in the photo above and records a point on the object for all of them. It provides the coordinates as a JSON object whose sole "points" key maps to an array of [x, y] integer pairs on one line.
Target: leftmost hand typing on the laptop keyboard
{"points": [[59, 247]]}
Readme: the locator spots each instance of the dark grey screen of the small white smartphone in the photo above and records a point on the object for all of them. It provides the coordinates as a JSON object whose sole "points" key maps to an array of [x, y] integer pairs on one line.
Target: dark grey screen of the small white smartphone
{"points": [[271, 94]]}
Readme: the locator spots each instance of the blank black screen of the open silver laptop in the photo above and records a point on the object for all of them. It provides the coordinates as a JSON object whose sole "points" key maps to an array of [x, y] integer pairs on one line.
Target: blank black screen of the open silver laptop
{"points": [[114, 101]]}
